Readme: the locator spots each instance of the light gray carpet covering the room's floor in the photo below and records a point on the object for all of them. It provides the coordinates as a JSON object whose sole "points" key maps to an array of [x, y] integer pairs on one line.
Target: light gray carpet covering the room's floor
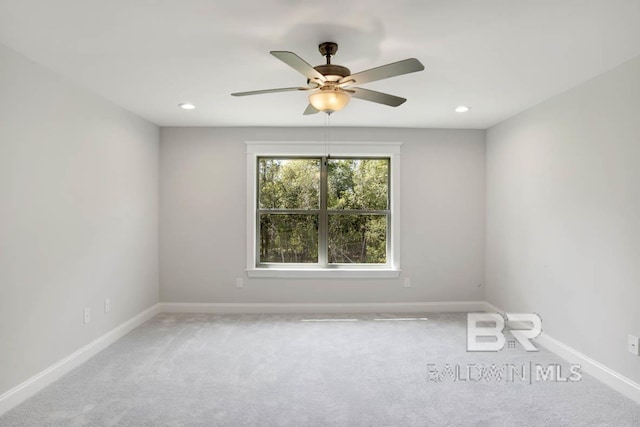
{"points": [[275, 370]]}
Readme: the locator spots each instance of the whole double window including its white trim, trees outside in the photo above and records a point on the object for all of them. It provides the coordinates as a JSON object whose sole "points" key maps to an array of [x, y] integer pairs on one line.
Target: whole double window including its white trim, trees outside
{"points": [[318, 215]]}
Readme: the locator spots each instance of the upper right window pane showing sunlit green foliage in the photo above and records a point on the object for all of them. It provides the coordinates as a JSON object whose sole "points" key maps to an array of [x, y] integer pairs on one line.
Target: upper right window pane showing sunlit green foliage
{"points": [[358, 184]]}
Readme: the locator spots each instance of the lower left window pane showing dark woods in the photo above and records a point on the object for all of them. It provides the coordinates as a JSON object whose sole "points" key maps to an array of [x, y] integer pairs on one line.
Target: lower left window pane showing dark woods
{"points": [[289, 238]]}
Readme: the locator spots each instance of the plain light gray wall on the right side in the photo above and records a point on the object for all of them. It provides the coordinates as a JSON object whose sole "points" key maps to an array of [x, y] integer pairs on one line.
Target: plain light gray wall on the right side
{"points": [[563, 216]]}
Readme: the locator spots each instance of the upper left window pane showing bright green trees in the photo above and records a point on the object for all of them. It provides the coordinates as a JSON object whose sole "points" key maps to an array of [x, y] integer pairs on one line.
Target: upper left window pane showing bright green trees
{"points": [[289, 183]]}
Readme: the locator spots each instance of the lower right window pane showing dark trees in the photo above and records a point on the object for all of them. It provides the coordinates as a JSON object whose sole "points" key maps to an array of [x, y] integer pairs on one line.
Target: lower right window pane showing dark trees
{"points": [[358, 239]]}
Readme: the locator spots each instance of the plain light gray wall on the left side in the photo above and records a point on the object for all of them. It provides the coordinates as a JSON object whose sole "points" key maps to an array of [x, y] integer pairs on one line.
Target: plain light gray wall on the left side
{"points": [[78, 217]]}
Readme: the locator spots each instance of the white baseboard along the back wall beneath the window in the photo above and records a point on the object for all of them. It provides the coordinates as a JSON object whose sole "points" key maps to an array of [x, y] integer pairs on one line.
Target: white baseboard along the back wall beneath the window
{"points": [[322, 308]]}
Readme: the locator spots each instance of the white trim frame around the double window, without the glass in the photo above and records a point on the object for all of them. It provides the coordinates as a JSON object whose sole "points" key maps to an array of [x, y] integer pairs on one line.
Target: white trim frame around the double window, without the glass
{"points": [[389, 150]]}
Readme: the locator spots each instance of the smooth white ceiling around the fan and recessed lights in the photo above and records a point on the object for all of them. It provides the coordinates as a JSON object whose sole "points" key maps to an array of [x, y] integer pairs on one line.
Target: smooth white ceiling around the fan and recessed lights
{"points": [[498, 56]]}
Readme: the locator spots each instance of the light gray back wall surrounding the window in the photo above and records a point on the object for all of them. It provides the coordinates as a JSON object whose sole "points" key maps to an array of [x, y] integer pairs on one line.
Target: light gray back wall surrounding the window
{"points": [[202, 218]]}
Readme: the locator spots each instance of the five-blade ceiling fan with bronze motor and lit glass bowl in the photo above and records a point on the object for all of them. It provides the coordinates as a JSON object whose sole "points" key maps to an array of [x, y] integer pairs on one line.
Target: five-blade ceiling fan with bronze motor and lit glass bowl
{"points": [[332, 85]]}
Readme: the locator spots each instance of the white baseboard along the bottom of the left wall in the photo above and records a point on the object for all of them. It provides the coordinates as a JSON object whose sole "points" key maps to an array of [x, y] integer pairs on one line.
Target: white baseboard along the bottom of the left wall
{"points": [[36, 383]]}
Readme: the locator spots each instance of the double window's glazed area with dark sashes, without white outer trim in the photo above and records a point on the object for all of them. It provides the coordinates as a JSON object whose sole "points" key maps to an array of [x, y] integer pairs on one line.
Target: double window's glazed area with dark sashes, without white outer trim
{"points": [[324, 211]]}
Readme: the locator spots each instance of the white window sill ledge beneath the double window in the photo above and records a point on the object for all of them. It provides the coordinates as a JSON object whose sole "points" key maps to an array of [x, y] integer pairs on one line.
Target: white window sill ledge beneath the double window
{"points": [[317, 273]]}
